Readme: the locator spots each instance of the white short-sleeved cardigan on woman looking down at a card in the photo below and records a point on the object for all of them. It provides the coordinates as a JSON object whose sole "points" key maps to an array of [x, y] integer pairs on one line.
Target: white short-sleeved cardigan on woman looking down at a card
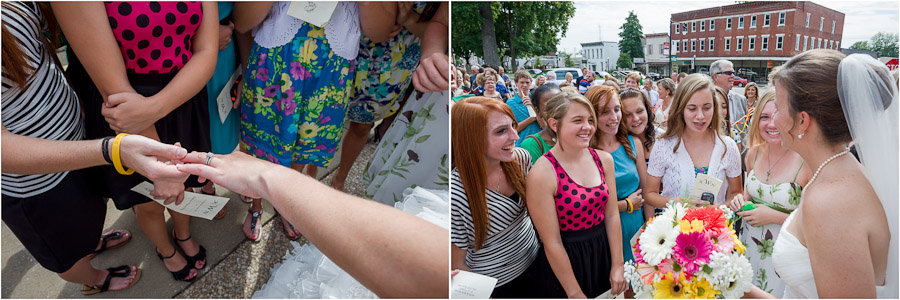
{"points": [[677, 169]]}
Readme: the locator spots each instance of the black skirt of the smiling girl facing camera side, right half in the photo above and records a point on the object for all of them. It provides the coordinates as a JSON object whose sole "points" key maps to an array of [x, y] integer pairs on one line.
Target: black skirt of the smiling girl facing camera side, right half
{"points": [[588, 251]]}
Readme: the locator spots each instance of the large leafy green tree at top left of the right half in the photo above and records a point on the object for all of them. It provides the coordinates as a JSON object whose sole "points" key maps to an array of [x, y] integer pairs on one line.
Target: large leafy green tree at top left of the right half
{"points": [[518, 28]]}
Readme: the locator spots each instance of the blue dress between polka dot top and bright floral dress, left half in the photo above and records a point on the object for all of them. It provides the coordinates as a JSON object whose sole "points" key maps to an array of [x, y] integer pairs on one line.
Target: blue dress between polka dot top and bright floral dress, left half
{"points": [[223, 136]]}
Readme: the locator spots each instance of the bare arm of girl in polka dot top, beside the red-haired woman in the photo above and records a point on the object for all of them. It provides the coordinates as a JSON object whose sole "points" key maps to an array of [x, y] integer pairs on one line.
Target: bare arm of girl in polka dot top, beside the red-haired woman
{"points": [[541, 185]]}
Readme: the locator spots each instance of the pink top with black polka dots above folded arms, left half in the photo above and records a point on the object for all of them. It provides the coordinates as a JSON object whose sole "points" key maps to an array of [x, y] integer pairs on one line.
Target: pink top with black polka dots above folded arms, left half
{"points": [[154, 37]]}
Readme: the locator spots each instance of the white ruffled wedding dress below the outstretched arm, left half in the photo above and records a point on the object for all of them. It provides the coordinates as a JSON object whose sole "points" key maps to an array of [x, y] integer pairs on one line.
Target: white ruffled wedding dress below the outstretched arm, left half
{"points": [[306, 273]]}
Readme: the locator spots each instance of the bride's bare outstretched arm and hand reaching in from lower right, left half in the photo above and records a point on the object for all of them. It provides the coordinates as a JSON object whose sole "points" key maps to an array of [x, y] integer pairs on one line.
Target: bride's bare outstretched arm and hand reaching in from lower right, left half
{"points": [[365, 238]]}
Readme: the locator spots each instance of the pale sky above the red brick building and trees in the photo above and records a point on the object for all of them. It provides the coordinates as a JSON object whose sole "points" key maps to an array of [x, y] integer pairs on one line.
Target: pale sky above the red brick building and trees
{"points": [[602, 19]]}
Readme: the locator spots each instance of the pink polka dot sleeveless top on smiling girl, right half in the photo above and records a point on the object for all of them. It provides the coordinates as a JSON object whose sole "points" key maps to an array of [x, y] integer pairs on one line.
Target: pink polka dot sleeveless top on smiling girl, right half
{"points": [[578, 207]]}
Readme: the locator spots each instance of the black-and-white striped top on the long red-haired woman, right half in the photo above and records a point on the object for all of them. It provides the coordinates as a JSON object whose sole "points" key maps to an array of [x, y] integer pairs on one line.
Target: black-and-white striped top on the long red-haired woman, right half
{"points": [[511, 244]]}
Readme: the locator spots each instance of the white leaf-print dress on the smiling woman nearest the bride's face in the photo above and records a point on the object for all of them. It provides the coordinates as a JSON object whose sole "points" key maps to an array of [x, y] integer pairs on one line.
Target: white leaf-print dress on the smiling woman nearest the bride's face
{"points": [[760, 240]]}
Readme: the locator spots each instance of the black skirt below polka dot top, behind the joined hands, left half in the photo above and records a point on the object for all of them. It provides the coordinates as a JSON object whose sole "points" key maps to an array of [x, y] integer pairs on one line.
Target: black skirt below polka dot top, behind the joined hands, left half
{"points": [[188, 124]]}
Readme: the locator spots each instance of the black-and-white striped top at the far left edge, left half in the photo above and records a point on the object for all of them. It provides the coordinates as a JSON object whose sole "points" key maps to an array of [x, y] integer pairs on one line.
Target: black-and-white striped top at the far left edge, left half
{"points": [[46, 109]]}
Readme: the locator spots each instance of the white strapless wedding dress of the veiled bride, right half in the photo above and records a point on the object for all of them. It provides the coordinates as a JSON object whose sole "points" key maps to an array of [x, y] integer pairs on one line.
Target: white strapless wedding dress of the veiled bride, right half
{"points": [[793, 265]]}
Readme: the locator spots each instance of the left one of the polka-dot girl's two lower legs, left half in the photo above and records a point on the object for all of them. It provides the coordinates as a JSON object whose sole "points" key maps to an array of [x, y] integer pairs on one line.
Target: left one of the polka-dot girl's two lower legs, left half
{"points": [[152, 221]]}
